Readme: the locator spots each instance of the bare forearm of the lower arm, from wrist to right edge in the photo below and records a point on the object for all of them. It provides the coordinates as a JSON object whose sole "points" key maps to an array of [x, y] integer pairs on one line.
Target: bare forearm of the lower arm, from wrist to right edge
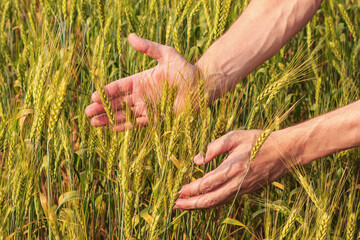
{"points": [[324, 135]]}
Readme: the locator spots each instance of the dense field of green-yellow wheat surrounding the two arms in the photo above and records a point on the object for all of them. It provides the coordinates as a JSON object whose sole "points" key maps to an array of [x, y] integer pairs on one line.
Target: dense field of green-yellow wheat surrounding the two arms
{"points": [[62, 178]]}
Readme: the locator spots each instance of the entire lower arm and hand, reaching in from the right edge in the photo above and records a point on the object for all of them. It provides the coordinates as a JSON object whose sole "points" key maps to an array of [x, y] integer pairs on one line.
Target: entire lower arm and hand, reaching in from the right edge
{"points": [[296, 145]]}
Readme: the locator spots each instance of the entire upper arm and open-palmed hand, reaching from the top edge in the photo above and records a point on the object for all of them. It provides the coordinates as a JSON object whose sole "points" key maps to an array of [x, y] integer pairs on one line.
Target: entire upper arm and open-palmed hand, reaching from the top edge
{"points": [[263, 28]]}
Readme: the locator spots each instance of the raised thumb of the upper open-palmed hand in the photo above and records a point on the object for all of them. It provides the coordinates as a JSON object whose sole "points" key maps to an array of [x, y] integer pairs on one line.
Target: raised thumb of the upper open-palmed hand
{"points": [[152, 49]]}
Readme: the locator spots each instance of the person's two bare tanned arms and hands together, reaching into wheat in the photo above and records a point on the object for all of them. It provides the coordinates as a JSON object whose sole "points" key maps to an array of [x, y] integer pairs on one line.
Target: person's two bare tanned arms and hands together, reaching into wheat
{"points": [[259, 33]]}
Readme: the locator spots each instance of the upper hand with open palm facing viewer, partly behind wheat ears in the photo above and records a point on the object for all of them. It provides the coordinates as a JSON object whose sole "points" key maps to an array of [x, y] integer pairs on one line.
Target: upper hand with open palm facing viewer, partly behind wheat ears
{"points": [[133, 90]]}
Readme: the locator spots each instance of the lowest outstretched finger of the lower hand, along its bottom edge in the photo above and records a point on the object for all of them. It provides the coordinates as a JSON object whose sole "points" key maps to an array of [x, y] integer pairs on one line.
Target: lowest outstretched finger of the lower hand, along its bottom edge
{"points": [[220, 195]]}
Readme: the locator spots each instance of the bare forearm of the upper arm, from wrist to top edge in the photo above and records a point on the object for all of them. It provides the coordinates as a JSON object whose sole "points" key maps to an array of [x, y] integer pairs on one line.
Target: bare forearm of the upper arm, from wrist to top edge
{"points": [[263, 28]]}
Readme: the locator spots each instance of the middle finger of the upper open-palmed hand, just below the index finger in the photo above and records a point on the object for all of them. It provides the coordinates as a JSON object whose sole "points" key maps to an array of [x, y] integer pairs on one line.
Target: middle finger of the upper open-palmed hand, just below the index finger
{"points": [[116, 103]]}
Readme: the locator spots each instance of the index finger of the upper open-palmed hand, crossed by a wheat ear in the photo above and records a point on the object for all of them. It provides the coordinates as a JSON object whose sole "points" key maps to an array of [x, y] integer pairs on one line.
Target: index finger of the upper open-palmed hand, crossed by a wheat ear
{"points": [[117, 88]]}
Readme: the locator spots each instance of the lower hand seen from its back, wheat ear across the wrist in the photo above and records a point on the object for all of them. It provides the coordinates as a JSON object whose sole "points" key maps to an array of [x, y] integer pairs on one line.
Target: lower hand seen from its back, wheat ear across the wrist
{"points": [[221, 185]]}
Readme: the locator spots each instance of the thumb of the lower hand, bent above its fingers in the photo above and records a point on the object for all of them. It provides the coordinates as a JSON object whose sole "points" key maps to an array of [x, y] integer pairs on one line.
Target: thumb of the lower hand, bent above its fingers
{"points": [[215, 148]]}
